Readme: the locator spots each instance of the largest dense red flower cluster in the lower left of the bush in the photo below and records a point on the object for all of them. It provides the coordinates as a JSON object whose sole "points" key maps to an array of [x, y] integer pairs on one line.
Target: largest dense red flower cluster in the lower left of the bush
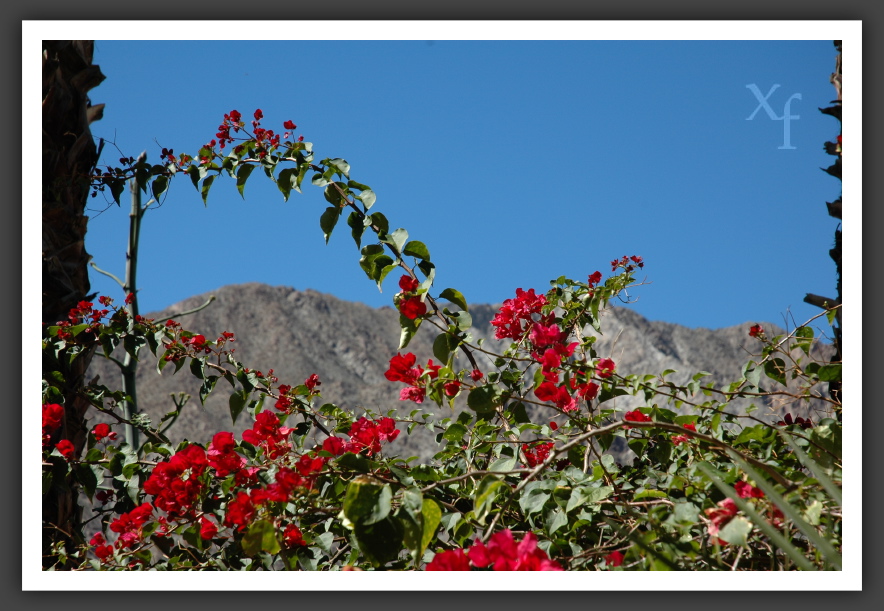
{"points": [[176, 484]]}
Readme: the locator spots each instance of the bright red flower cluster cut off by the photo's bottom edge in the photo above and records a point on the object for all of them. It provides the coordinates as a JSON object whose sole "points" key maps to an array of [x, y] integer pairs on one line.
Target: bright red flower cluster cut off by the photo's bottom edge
{"points": [[502, 553]]}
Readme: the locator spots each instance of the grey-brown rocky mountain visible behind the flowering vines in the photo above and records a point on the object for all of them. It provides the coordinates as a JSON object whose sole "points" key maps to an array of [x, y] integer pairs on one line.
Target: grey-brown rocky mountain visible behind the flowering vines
{"points": [[298, 333]]}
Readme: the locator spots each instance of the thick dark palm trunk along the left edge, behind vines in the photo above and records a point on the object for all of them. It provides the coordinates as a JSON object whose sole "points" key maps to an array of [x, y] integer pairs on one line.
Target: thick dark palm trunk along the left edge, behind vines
{"points": [[69, 158]]}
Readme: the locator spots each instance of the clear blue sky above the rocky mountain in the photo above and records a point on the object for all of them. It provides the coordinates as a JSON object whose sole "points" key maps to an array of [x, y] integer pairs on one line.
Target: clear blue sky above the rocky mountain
{"points": [[513, 161]]}
